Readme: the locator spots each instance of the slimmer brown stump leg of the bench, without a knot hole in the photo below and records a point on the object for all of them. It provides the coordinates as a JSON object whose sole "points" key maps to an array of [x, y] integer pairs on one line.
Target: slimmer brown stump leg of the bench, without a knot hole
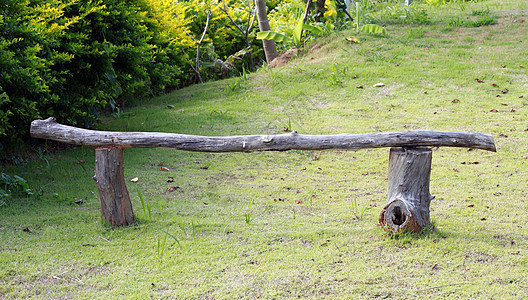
{"points": [[116, 208]]}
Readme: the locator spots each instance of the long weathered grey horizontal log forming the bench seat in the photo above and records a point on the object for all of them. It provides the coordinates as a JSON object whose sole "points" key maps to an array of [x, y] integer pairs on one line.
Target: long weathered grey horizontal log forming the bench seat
{"points": [[50, 129]]}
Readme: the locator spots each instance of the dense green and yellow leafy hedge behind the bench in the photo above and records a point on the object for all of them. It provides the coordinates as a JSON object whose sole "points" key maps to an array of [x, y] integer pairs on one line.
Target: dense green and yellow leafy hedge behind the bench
{"points": [[71, 58]]}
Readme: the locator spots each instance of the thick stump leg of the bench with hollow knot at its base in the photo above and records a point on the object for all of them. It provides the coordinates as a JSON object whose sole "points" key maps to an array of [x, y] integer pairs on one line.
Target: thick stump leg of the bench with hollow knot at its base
{"points": [[408, 196]]}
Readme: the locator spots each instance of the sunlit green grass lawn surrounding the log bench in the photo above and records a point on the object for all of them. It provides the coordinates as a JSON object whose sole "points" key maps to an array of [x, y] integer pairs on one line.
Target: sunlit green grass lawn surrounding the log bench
{"points": [[300, 224]]}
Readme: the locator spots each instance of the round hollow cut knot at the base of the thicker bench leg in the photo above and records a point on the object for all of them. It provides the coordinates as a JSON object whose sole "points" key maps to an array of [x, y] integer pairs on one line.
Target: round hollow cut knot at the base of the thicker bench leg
{"points": [[396, 217]]}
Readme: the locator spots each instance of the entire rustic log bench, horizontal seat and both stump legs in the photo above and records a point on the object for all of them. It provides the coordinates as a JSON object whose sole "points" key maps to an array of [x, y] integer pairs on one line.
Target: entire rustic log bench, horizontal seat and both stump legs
{"points": [[408, 196]]}
